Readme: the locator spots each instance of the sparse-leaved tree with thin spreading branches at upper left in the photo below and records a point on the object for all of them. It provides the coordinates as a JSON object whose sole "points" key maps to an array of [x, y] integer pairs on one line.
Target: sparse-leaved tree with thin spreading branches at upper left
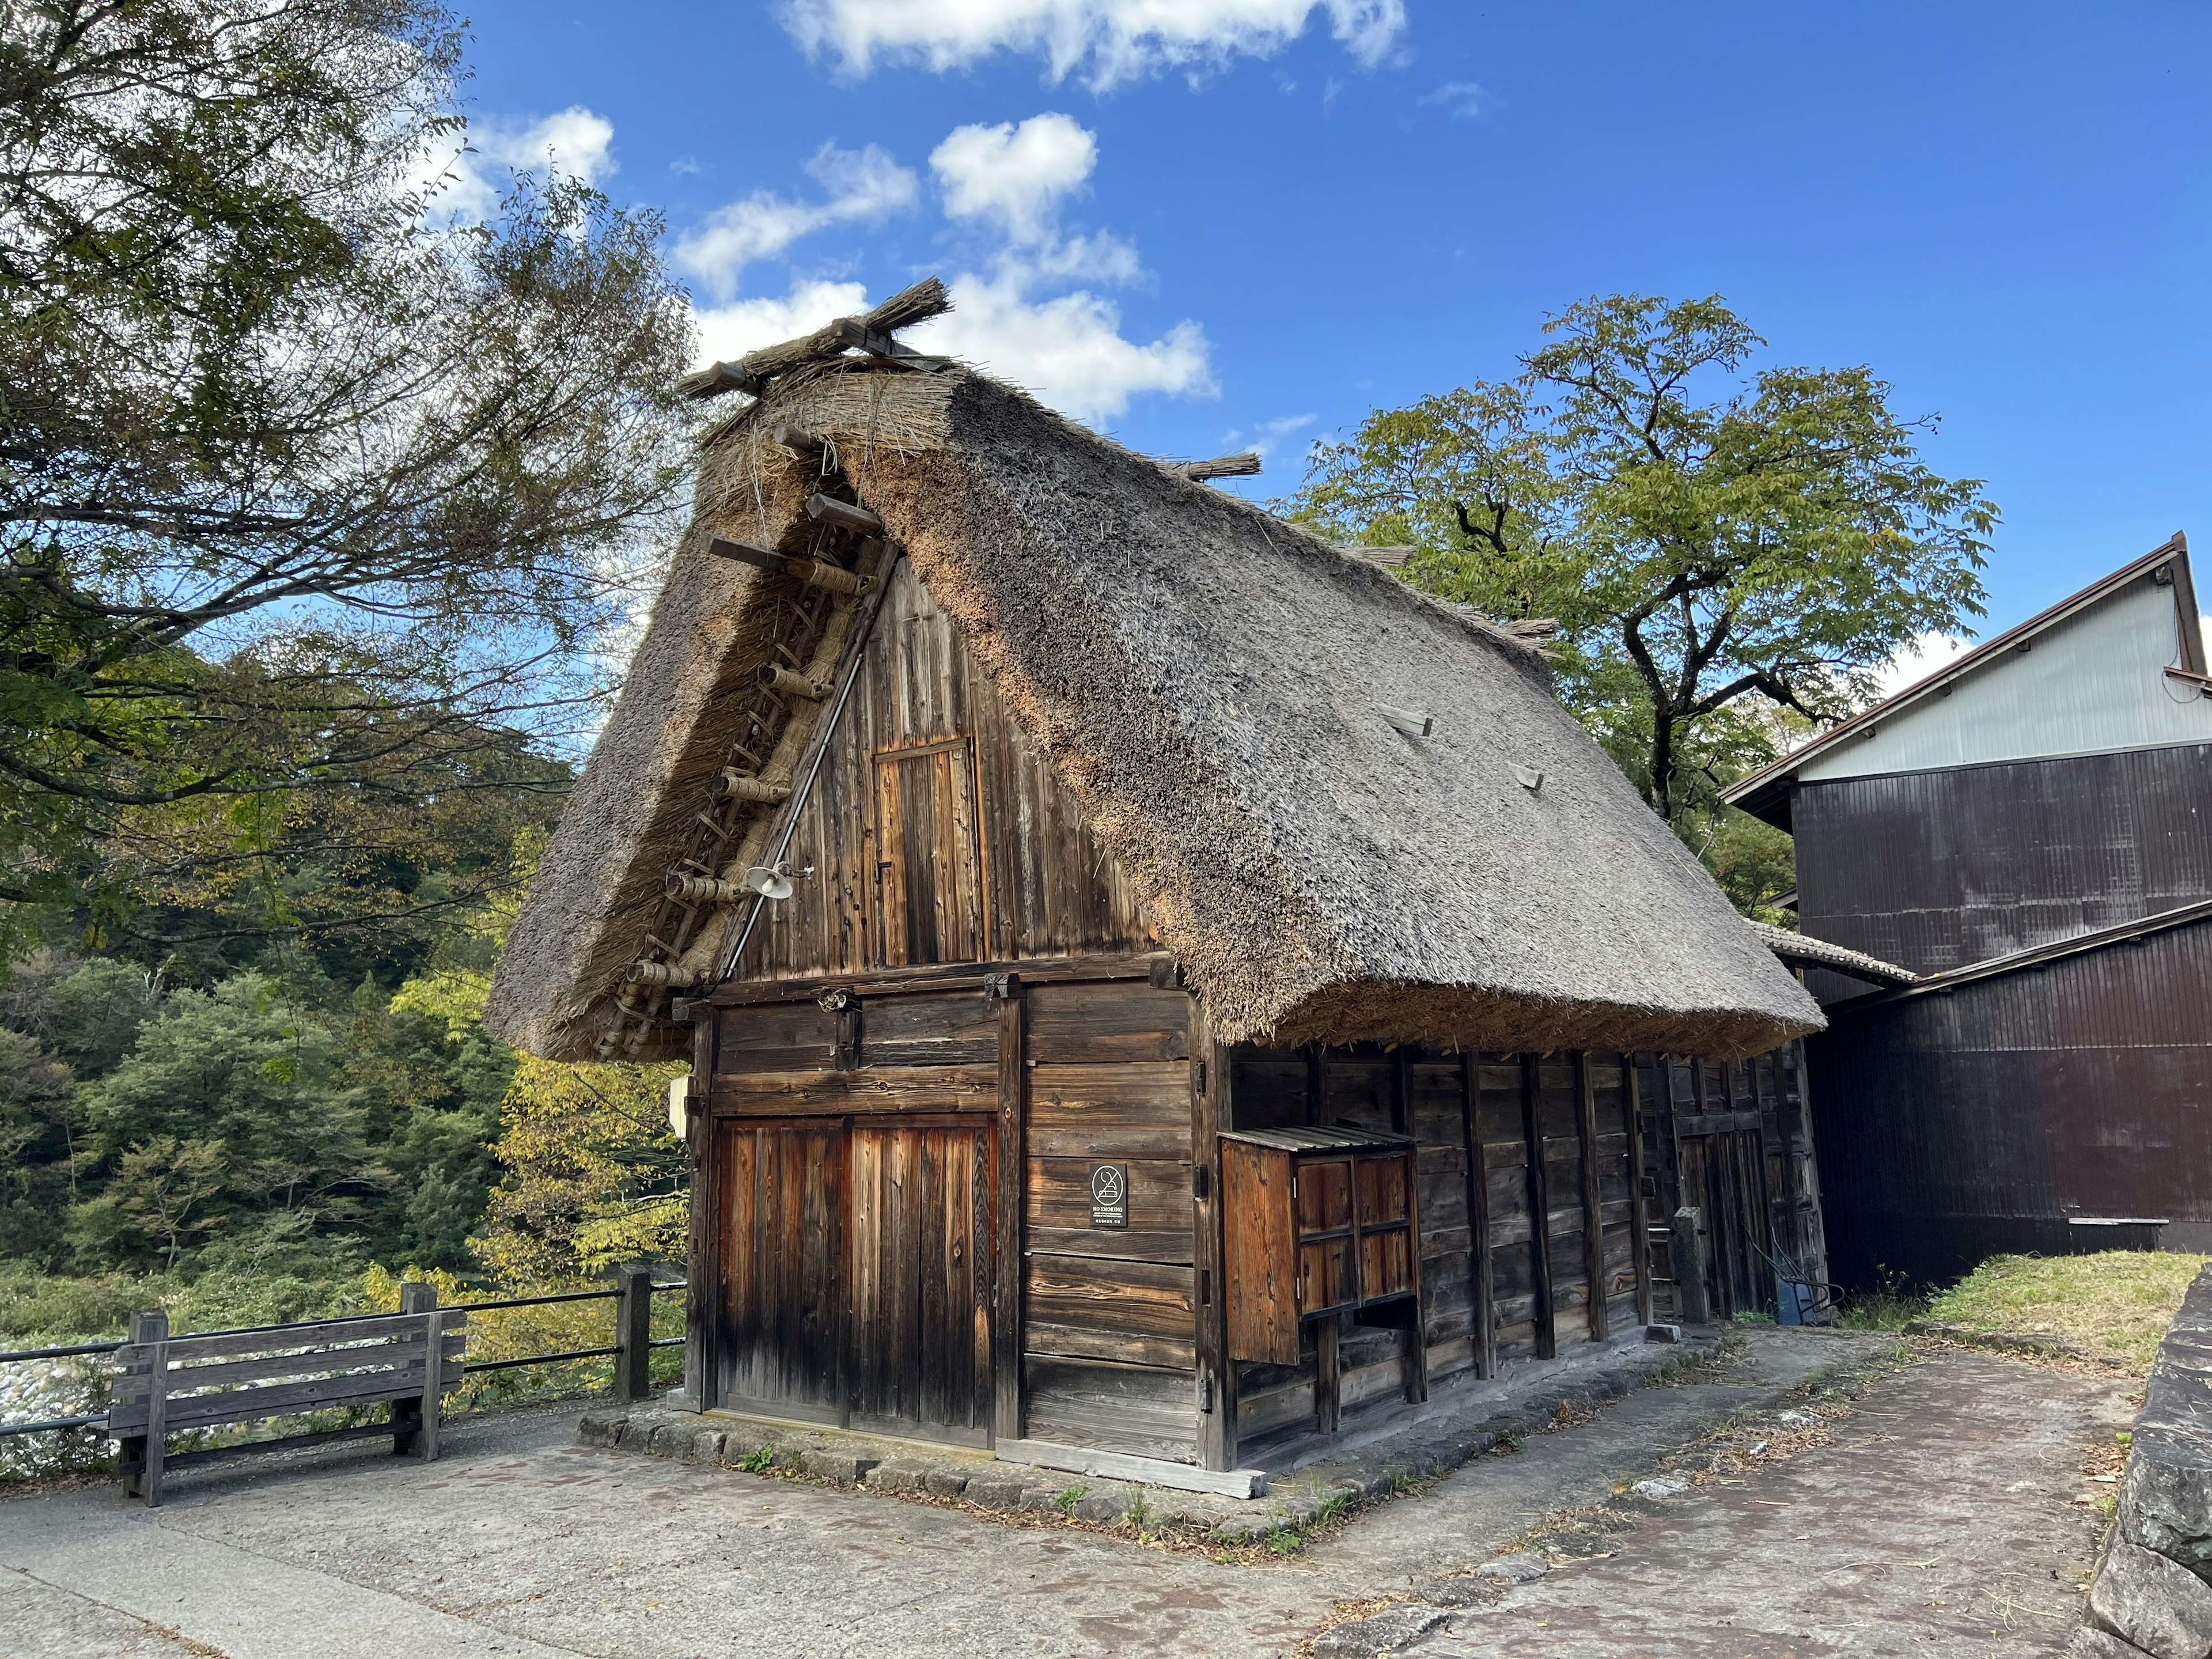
{"points": [[306, 490]]}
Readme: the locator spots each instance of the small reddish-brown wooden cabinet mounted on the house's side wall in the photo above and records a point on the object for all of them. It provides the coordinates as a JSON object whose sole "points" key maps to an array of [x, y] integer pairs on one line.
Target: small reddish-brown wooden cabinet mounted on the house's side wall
{"points": [[1315, 1222]]}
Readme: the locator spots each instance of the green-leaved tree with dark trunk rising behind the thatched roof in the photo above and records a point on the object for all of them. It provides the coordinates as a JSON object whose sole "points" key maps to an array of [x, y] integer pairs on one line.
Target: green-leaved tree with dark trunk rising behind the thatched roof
{"points": [[1726, 550]]}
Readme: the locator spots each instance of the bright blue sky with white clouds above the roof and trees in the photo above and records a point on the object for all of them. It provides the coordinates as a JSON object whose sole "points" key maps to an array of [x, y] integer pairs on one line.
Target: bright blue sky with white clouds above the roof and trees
{"points": [[1293, 213]]}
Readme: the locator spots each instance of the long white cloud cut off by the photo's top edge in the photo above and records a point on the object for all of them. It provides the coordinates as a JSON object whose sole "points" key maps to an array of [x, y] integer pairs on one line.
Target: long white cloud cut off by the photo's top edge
{"points": [[1109, 41]]}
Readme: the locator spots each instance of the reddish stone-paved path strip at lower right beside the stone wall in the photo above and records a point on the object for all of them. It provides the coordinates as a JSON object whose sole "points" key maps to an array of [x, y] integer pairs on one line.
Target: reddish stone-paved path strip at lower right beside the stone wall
{"points": [[1941, 1523]]}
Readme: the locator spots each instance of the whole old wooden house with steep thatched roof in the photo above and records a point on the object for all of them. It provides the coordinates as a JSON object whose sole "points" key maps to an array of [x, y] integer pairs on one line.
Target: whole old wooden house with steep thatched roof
{"points": [[1050, 864]]}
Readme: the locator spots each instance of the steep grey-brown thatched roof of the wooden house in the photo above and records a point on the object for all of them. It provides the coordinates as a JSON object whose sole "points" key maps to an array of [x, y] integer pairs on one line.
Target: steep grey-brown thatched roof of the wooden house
{"points": [[1229, 698]]}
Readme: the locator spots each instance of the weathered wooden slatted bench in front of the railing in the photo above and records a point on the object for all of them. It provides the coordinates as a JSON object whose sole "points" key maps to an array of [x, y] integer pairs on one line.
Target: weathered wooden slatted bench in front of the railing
{"points": [[171, 1384]]}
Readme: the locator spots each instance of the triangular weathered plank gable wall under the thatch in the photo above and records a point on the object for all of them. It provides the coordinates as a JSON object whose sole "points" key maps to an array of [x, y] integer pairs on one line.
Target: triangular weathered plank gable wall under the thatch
{"points": [[937, 833]]}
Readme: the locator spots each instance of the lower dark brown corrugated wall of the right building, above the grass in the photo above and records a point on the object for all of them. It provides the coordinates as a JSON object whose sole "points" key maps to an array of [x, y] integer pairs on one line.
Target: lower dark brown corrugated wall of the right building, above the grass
{"points": [[1957, 1125]]}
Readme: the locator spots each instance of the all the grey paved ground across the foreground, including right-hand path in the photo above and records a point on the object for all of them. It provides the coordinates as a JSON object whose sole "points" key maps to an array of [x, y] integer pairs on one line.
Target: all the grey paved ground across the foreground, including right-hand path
{"points": [[1939, 1516]]}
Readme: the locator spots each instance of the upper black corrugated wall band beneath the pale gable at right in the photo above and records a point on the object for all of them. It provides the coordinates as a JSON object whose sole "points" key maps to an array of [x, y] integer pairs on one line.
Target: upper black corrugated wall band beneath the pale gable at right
{"points": [[1941, 870]]}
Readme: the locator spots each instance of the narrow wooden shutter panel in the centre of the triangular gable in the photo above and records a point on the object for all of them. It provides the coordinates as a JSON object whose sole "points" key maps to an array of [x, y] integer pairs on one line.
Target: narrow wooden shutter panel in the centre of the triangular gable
{"points": [[930, 870]]}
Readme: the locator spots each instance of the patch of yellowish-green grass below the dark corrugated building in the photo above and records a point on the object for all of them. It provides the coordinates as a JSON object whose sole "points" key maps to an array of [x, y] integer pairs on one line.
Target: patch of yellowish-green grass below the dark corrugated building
{"points": [[2114, 1306]]}
